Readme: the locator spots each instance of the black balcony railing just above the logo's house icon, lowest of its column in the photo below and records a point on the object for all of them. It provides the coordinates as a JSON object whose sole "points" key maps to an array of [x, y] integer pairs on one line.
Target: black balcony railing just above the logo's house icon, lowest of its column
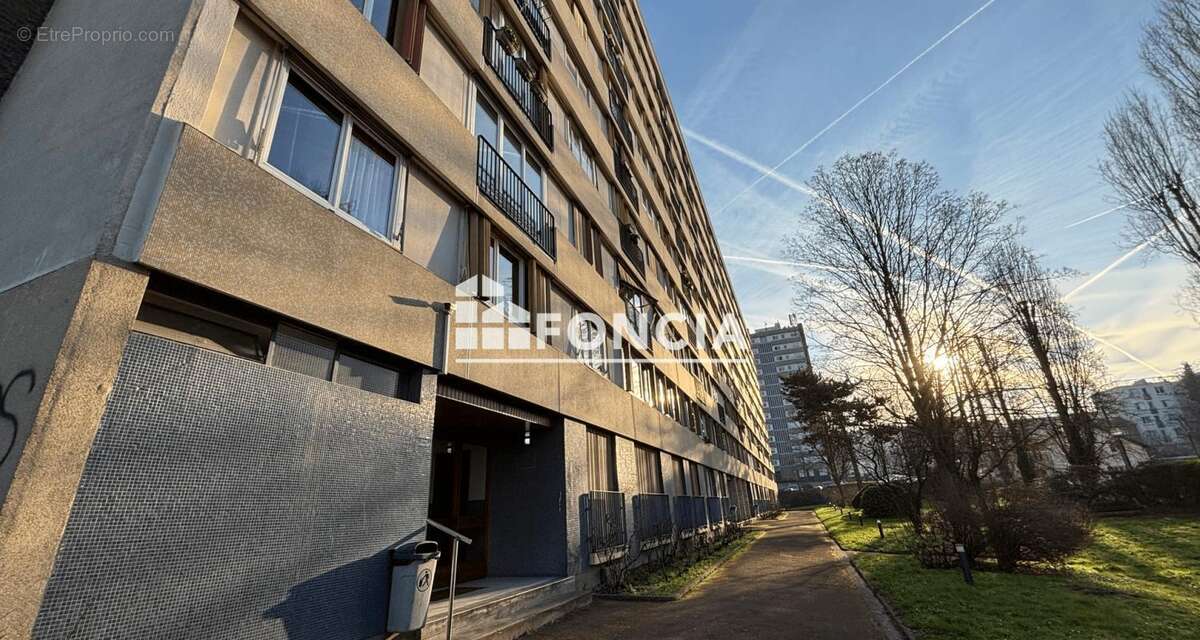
{"points": [[503, 186]]}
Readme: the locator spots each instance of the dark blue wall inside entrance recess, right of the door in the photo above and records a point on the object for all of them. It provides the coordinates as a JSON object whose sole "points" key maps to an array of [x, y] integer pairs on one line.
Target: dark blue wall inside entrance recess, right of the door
{"points": [[529, 507]]}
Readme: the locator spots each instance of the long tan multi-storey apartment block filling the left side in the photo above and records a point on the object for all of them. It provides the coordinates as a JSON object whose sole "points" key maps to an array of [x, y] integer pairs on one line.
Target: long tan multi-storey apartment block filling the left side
{"points": [[256, 256]]}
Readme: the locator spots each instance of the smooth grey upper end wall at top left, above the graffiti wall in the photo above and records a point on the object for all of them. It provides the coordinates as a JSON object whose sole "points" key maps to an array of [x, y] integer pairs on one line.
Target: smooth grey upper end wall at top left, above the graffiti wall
{"points": [[76, 127]]}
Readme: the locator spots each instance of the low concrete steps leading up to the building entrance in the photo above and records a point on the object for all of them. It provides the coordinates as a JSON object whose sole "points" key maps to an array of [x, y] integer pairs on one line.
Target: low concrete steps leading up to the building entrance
{"points": [[511, 612]]}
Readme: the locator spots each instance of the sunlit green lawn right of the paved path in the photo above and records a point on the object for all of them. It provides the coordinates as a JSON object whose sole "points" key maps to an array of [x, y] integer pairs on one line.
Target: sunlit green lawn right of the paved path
{"points": [[1138, 579]]}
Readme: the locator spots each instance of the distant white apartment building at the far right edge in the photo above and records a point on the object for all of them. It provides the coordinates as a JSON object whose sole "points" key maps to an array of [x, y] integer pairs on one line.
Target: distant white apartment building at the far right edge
{"points": [[1153, 406]]}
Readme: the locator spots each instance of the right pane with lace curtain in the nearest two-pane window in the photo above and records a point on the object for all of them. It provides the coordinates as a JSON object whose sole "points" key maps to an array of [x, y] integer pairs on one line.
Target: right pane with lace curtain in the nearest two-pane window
{"points": [[370, 186]]}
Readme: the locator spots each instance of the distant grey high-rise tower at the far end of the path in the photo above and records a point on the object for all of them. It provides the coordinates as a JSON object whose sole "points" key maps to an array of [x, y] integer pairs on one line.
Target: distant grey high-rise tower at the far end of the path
{"points": [[778, 351]]}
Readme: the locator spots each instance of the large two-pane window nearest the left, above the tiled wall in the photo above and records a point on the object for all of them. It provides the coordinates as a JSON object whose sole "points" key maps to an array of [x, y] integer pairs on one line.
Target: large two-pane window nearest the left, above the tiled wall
{"points": [[320, 148]]}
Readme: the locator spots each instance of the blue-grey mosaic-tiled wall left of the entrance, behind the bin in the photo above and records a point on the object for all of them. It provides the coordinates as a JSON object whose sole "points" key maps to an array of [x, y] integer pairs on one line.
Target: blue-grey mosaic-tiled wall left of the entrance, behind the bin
{"points": [[224, 499]]}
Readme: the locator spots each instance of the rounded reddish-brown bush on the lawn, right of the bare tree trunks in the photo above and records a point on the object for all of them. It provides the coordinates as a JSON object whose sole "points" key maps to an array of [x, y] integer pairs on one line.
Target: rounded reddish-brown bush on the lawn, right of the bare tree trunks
{"points": [[1027, 525]]}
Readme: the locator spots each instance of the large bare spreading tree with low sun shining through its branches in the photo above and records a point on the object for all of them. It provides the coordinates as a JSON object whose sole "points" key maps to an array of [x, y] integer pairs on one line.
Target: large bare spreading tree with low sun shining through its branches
{"points": [[897, 290]]}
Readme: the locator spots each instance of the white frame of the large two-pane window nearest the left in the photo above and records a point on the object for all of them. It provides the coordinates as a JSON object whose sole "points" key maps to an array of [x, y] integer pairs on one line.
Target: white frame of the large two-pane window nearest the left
{"points": [[395, 236]]}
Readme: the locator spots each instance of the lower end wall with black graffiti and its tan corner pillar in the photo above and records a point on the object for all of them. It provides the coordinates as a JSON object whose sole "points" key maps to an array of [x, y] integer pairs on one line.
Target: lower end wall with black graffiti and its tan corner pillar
{"points": [[76, 367]]}
